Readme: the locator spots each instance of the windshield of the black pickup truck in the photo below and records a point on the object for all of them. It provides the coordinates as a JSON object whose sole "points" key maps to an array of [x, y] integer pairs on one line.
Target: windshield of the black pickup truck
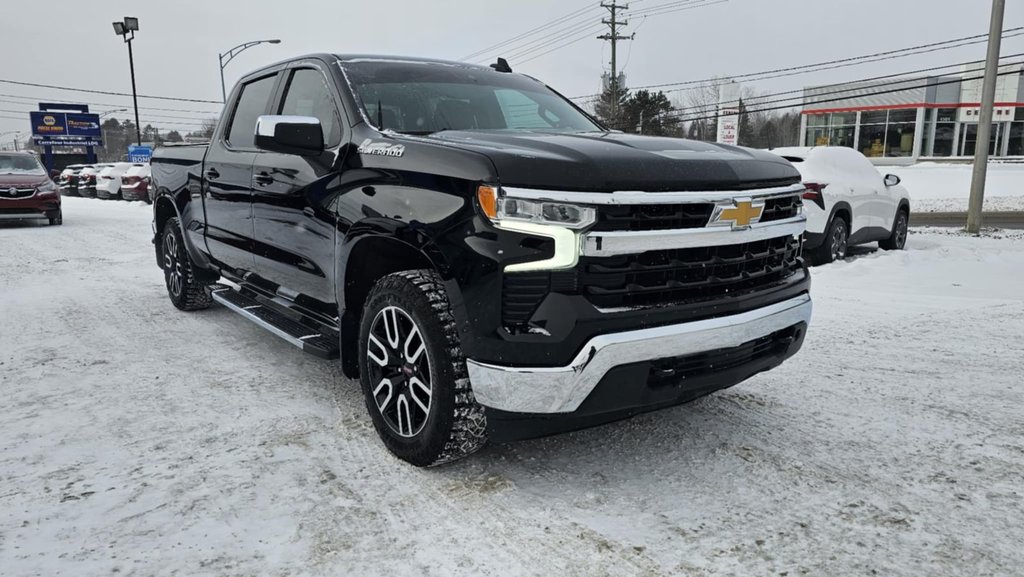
{"points": [[425, 98]]}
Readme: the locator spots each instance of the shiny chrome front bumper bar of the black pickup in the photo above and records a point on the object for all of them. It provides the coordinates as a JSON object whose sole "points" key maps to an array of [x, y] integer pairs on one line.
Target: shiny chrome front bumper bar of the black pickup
{"points": [[563, 390]]}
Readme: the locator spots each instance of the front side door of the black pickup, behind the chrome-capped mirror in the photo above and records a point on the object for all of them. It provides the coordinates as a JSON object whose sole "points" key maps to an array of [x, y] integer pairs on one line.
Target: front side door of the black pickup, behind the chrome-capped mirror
{"points": [[295, 232]]}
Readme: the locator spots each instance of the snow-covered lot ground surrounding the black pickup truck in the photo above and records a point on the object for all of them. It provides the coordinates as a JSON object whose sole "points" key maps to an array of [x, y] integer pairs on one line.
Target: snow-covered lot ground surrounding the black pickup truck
{"points": [[143, 441]]}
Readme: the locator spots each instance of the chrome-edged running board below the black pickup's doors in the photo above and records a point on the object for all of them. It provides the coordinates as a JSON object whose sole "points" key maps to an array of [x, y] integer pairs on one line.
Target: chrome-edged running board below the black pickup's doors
{"points": [[316, 342]]}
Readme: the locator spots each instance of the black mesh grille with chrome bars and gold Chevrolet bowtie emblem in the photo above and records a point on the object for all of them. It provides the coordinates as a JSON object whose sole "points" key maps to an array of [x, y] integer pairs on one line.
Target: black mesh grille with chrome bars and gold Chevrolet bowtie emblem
{"points": [[658, 250]]}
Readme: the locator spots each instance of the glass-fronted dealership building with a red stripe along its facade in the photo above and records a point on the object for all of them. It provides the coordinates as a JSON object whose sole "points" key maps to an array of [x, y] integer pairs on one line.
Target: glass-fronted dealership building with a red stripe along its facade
{"points": [[920, 118]]}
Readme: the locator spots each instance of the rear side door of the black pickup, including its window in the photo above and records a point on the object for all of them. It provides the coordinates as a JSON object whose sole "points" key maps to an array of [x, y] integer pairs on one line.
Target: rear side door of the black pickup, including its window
{"points": [[228, 178]]}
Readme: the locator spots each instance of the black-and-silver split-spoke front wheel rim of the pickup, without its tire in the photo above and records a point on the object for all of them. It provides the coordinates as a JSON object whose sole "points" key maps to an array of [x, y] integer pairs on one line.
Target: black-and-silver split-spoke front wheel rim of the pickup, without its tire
{"points": [[399, 367]]}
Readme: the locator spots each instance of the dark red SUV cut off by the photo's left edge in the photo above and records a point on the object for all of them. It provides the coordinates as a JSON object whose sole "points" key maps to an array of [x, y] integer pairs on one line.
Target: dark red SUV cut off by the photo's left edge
{"points": [[26, 190]]}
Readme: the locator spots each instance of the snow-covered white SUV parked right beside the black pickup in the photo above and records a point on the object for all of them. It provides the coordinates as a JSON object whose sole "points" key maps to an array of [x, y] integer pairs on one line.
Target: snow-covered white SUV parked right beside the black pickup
{"points": [[848, 202]]}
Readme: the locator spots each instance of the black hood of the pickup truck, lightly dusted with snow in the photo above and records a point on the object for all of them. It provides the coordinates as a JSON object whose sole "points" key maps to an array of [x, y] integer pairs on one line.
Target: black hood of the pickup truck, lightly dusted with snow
{"points": [[611, 161]]}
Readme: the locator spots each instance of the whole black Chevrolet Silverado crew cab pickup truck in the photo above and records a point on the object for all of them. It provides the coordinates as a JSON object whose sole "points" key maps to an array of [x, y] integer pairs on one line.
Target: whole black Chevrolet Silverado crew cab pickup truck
{"points": [[489, 260]]}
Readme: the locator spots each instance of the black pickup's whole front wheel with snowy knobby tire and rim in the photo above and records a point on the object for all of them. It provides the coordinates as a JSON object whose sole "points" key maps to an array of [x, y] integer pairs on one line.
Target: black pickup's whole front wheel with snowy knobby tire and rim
{"points": [[413, 374]]}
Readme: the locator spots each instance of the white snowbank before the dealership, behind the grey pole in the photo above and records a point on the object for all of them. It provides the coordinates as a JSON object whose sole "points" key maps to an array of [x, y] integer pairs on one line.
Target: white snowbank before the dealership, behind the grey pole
{"points": [[947, 188]]}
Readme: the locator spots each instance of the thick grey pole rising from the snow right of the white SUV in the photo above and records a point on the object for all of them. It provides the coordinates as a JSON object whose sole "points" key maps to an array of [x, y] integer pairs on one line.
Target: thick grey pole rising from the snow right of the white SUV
{"points": [[986, 123]]}
